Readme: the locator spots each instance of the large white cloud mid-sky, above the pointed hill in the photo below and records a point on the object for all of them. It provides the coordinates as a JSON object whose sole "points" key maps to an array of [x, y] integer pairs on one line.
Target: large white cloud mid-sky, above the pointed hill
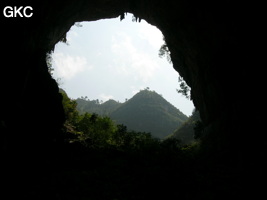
{"points": [[131, 60]]}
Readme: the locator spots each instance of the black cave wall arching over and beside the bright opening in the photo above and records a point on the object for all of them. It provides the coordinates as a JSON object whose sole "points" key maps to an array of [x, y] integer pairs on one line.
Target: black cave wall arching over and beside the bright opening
{"points": [[207, 46]]}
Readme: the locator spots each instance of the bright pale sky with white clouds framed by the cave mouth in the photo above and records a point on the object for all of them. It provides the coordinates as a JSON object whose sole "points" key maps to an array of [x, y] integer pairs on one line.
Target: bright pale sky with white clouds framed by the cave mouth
{"points": [[113, 59]]}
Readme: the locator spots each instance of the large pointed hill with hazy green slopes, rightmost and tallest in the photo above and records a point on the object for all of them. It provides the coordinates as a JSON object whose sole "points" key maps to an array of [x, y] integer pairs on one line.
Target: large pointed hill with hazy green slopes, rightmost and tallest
{"points": [[148, 111]]}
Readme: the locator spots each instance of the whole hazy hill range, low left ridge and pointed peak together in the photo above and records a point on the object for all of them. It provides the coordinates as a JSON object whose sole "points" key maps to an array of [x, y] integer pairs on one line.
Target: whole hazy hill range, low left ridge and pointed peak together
{"points": [[146, 111]]}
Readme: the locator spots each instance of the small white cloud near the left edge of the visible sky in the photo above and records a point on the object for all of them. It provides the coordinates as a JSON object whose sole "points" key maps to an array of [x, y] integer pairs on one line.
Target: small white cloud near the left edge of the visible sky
{"points": [[67, 66]]}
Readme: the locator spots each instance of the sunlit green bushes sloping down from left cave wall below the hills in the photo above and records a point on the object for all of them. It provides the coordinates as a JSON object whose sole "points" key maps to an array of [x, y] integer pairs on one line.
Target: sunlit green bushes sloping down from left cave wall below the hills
{"points": [[94, 131]]}
